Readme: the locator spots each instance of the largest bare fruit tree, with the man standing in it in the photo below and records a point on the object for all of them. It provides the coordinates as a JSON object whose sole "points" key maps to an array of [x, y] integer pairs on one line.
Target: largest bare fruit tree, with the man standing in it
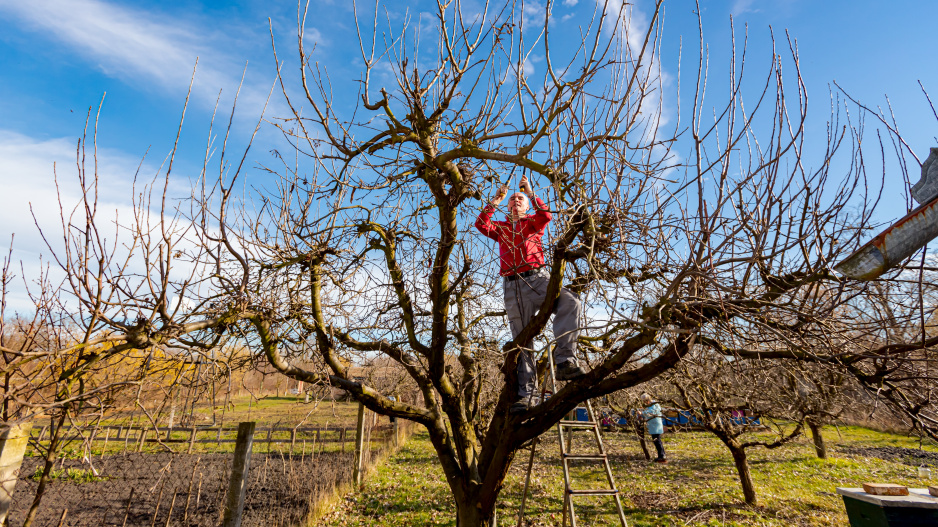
{"points": [[353, 260]]}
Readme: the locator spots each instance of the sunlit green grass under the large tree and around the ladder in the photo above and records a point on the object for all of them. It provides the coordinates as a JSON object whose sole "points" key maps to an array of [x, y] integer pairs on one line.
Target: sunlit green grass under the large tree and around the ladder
{"points": [[699, 487]]}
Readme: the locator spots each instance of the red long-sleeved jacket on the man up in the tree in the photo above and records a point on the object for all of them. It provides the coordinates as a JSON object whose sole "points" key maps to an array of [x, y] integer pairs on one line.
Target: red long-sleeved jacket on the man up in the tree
{"points": [[519, 243]]}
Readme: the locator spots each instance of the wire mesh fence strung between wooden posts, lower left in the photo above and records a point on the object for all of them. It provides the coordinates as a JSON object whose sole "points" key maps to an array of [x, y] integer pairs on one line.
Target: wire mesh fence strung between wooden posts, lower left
{"points": [[138, 476]]}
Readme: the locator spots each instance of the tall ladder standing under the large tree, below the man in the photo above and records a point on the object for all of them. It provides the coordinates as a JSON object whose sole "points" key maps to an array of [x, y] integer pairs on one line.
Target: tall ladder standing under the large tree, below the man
{"points": [[566, 456]]}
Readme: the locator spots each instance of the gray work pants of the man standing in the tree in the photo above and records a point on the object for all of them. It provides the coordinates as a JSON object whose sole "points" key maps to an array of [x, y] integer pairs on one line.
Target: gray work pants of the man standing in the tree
{"points": [[523, 297]]}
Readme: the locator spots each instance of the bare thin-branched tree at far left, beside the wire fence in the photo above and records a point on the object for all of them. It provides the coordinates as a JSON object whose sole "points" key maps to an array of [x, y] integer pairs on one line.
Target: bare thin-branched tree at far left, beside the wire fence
{"points": [[108, 327]]}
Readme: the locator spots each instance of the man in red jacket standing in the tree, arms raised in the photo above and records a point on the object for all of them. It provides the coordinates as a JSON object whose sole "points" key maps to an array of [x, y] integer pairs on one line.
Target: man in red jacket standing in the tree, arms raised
{"points": [[525, 278]]}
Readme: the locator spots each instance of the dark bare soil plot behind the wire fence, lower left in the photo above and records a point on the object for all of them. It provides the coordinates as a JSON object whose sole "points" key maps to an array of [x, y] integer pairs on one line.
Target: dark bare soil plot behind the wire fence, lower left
{"points": [[142, 487]]}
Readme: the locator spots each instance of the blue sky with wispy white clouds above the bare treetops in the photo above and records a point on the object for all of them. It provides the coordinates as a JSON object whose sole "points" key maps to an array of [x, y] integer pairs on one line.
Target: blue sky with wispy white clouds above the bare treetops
{"points": [[59, 57]]}
